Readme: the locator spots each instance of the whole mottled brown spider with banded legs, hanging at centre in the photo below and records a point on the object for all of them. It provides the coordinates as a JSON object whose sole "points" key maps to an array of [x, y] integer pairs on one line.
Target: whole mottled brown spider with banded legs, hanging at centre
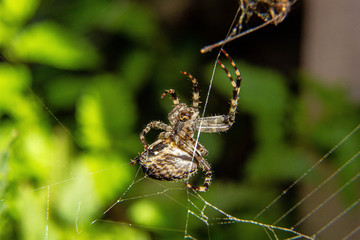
{"points": [[176, 155]]}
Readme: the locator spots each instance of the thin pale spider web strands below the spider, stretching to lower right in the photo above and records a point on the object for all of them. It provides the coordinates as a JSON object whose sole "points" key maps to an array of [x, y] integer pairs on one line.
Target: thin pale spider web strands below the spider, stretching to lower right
{"points": [[199, 208]]}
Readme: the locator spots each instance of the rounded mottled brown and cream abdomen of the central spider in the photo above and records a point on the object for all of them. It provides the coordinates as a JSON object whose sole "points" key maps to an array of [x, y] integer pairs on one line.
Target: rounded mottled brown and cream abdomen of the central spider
{"points": [[165, 161]]}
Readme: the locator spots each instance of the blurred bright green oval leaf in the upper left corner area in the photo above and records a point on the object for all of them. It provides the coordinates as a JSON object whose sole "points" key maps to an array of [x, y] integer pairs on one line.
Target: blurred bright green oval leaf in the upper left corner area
{"points": [[50, 44]]}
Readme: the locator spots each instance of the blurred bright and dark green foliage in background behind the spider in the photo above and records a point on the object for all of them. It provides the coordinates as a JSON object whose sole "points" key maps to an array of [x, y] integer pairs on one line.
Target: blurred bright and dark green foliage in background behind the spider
{"points": [[71, 112]]}
